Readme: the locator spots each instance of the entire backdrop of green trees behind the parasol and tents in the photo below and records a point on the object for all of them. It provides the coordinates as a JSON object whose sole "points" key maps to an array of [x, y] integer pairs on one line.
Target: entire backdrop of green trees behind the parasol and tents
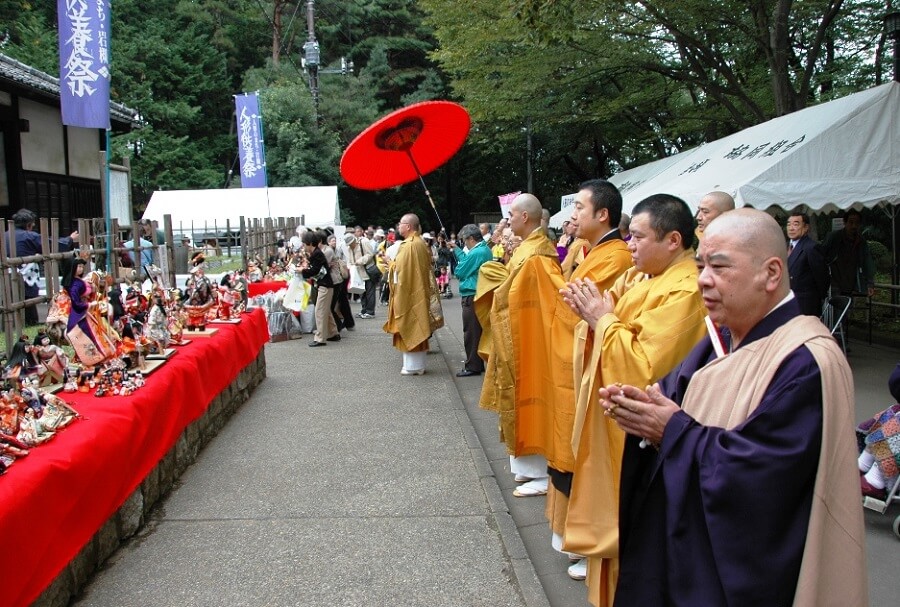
{"points": [[599, 85]]}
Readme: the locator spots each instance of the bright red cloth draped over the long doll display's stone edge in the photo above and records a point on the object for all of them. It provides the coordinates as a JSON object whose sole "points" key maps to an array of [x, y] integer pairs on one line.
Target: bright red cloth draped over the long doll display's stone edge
{"points": [[54, 501]]}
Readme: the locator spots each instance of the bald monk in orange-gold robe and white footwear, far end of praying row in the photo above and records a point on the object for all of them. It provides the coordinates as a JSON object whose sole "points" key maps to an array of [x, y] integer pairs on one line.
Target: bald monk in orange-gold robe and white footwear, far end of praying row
{"points": [[517, 374]]}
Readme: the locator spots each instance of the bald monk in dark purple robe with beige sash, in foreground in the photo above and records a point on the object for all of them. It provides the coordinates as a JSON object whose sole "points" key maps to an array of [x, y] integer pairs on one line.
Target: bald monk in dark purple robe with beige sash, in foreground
{"points": [[749, 492]]}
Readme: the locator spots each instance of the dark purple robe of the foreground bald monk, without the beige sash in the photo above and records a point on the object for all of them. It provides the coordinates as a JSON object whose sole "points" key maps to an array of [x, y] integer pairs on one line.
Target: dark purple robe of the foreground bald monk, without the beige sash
{"points": [[724, 518]]}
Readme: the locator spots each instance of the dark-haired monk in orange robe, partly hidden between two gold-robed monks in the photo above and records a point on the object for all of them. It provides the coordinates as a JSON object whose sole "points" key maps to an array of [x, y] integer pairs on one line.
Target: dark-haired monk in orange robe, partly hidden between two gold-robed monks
{"points": [[595, 222]]}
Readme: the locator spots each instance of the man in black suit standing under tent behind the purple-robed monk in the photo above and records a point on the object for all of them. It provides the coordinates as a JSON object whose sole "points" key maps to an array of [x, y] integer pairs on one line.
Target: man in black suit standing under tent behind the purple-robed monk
{"points": [[806, 265]]}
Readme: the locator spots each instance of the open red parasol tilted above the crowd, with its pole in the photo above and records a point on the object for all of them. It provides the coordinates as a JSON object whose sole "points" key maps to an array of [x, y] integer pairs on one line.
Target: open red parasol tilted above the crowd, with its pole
{"points": [[406, 145]]}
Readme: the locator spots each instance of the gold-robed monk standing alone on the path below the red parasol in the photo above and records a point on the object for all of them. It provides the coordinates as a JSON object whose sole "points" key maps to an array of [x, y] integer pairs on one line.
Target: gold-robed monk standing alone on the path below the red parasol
{"points": [[411, 319]]}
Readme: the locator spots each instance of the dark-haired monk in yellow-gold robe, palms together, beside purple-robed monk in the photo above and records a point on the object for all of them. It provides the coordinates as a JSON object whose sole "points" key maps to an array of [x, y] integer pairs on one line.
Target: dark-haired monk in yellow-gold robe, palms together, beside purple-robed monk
{"points": [[634, 333]]}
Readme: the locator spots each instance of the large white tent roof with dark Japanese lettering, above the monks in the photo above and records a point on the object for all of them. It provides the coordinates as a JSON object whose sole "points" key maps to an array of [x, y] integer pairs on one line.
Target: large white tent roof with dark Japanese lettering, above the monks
{"points": [[830, 156]]}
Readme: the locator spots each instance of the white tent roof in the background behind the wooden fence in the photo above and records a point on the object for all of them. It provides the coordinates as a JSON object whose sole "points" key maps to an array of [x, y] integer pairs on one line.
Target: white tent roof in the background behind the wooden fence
{"points": [[317, 205]]}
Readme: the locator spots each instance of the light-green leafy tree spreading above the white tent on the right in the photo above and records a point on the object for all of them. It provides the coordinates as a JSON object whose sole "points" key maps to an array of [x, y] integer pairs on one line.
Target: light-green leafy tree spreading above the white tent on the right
{"points": [[609, 84]]}
